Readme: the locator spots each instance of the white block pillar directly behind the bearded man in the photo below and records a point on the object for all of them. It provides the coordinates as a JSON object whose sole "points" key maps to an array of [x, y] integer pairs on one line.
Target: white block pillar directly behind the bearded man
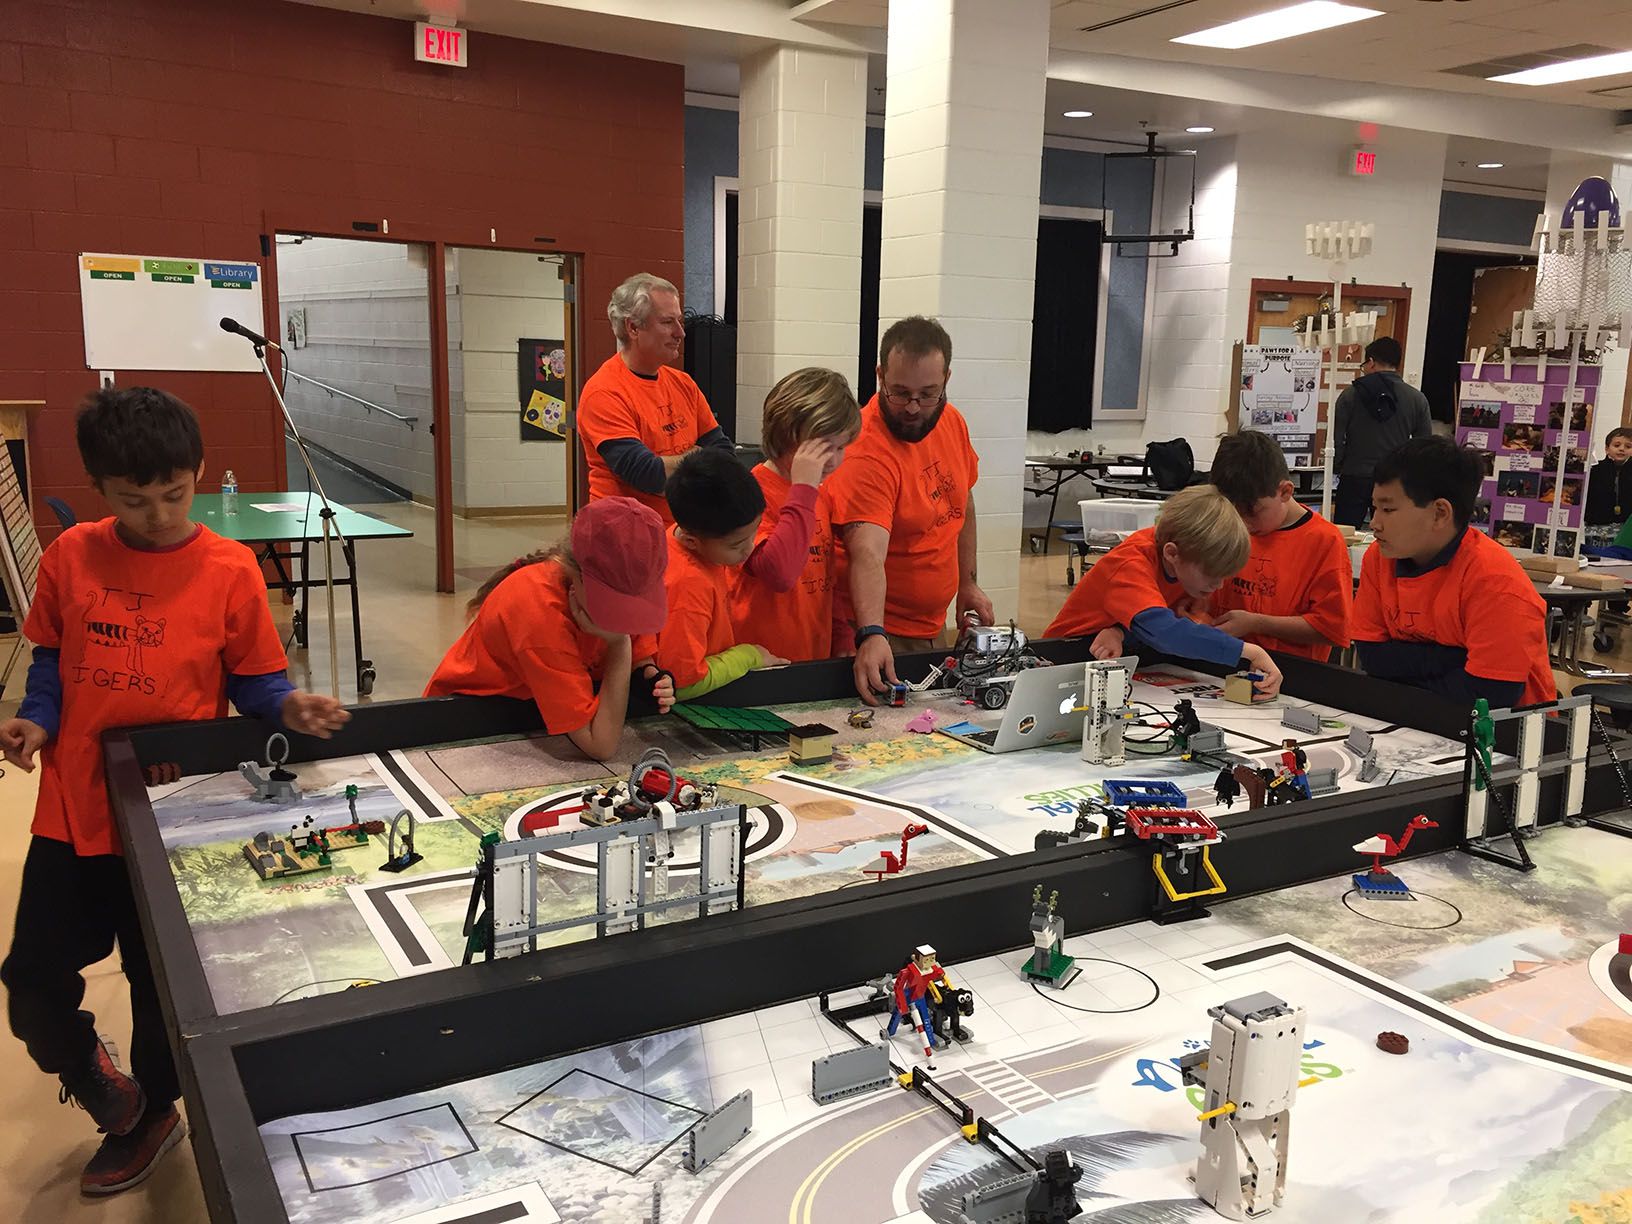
{"points": [[964, 144]]}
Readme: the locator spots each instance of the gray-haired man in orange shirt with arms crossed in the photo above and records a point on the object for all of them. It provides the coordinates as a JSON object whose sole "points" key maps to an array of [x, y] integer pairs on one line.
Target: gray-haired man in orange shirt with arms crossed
{"points": [[639, 414]]}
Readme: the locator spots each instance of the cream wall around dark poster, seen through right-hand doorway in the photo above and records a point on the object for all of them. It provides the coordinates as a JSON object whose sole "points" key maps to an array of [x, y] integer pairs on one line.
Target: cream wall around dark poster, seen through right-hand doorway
{"points": [[503, 296]]}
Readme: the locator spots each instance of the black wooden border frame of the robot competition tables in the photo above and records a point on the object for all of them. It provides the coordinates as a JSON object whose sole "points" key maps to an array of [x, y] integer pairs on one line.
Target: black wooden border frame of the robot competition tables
{"points": [[409, 1036]]}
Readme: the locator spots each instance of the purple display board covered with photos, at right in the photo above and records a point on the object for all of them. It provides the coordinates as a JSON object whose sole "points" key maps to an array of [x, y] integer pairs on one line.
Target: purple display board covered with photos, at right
{"points": [[1535, 432]]}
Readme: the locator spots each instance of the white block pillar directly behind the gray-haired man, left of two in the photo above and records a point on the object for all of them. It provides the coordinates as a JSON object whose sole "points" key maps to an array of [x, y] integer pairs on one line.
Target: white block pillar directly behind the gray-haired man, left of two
{"points": [[802, 140]]}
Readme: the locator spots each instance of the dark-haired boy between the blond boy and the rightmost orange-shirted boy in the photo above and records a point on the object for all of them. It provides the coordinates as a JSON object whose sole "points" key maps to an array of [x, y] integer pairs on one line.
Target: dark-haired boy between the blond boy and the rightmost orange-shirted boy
{"points": [[1297, 592]]}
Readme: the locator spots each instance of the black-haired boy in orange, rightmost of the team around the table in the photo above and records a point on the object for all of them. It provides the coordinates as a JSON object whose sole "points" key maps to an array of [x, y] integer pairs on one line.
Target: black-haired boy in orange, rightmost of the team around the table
{"points": [[1442, 606]]}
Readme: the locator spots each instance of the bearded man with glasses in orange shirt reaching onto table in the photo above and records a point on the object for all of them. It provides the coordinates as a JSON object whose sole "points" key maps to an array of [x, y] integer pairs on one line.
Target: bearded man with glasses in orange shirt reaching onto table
{"points": [[907, 500]]}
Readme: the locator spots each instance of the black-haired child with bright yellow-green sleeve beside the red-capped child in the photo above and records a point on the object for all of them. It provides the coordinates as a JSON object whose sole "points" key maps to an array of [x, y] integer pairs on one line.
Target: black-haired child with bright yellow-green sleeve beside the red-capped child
{"points": [[717, 508]]}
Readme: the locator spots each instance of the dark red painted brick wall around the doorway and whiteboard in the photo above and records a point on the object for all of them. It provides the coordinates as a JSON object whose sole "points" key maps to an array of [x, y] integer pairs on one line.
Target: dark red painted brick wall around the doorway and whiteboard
{"points": [[190, 128]]}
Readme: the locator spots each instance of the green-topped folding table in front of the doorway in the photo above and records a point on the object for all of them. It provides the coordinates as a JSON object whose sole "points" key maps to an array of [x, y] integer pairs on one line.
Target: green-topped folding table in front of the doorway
{"points": [[285, 538]]}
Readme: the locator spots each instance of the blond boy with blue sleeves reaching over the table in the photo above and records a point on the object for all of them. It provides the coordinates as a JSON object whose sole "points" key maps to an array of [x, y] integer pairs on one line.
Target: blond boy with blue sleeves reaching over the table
{"points": [[1143, 585]]}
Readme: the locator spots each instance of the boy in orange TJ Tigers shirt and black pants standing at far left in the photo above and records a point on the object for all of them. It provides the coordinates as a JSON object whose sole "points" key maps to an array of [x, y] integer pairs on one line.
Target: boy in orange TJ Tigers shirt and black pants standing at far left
{"points": [[143, 618]]}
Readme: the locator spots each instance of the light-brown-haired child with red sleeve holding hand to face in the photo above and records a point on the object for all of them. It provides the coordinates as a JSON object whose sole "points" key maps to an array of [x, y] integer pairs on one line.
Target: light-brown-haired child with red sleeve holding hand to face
{"points": [[783, 596]]}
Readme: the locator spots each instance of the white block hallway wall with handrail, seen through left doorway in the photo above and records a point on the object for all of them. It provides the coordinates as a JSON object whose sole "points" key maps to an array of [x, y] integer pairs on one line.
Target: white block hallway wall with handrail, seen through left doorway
{"points": [[368, 334]]}
